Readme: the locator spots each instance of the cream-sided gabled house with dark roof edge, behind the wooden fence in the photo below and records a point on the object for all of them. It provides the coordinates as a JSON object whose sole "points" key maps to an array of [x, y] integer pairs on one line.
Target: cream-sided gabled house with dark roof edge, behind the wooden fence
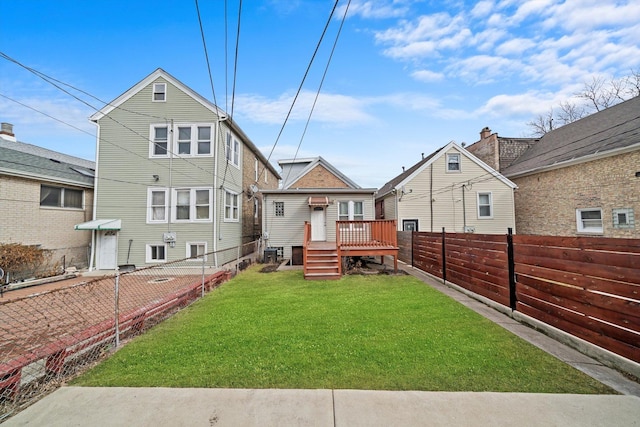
{"points": [[450, 188]]}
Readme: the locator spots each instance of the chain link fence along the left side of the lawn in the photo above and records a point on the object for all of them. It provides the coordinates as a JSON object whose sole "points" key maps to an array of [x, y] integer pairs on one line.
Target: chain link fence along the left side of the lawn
{"points": [[48, 337]]}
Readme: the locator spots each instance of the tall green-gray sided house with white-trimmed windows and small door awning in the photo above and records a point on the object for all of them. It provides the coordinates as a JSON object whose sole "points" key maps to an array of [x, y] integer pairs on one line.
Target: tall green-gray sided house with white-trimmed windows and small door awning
{"points": [[169, 177]]}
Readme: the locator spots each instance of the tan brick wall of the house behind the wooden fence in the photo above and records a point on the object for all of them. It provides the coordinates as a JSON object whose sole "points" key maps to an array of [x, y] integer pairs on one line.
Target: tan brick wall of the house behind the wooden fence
{"points": [[546, 203]]}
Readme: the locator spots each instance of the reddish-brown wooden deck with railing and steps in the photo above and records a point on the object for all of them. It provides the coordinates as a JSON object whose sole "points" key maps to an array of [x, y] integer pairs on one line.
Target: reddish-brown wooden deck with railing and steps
{"points": [[323, 260]]}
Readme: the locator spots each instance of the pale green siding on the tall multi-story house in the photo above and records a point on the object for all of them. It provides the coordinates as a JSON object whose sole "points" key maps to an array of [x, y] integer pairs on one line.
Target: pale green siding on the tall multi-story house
{"points": [[125, 173]]}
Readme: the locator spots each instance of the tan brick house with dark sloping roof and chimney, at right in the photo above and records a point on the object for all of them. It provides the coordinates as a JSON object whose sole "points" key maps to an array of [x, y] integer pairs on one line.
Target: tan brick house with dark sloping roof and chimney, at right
{"points": [[580, 179]]}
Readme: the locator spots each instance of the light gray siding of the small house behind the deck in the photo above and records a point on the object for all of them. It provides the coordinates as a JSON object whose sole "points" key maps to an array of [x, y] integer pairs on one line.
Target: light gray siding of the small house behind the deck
{"points": [[288, 230]]}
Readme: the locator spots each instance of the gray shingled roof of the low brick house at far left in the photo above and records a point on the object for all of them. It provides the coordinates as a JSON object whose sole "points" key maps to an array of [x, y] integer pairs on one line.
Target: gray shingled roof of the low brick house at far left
{"points": [[46, 165]]}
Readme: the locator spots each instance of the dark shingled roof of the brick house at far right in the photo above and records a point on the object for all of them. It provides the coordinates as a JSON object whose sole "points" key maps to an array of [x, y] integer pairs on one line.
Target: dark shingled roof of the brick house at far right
{"points": [[607, 132]]}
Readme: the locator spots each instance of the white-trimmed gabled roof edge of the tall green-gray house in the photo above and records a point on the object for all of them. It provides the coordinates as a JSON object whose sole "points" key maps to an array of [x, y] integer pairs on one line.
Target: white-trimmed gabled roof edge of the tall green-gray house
{"points": [[160, 73]]}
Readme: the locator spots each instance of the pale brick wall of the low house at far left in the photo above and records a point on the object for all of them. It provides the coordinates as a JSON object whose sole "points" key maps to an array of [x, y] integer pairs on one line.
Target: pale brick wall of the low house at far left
{"points": [[24, 221]]}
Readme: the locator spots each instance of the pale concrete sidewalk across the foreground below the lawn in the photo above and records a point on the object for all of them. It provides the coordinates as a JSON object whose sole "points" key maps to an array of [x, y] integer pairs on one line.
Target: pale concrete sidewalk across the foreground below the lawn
{"points": [[83, 406]]}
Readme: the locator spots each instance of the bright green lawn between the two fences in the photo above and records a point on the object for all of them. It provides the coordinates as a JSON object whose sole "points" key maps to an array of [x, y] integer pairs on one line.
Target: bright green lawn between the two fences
{"points": [[276, 330]]}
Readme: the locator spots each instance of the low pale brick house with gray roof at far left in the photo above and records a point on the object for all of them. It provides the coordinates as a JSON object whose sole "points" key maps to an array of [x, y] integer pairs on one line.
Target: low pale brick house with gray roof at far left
{"points": [[44, 193]]}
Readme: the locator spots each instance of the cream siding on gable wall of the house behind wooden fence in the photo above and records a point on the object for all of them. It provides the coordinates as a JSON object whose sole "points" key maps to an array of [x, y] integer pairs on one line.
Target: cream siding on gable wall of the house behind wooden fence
{"points": [[448, 199]]}
